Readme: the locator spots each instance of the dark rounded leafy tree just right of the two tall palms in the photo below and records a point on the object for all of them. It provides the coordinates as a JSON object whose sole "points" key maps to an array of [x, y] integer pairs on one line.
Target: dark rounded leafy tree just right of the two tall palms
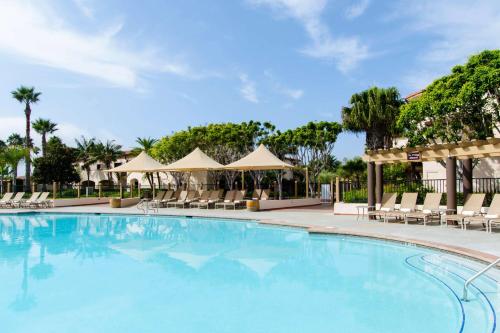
{"points": [[58, 165]]}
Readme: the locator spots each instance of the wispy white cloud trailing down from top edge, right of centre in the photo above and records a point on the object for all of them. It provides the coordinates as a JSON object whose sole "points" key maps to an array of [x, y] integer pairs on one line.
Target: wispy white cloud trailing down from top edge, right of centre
{"points": [[345, 52]]}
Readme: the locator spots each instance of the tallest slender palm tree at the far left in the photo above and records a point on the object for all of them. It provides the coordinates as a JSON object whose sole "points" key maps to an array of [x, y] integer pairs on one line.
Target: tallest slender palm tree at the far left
{"points": [[27, 96]]}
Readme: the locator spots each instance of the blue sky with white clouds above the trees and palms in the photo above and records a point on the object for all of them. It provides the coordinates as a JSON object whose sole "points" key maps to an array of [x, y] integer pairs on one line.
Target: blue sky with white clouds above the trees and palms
{"points": [[120, 69]]}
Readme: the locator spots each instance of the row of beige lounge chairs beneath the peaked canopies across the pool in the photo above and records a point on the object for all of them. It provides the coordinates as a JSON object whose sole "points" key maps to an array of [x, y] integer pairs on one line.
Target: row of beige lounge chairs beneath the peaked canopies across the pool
{"points": [[206, 199]]}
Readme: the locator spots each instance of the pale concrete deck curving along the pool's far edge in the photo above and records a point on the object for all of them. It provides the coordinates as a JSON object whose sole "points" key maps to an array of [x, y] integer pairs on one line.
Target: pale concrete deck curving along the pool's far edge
{"points": [[473, 242]]}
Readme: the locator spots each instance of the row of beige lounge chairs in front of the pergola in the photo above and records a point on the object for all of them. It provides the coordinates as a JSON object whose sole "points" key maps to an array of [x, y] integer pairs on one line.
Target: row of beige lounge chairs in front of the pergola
{"points": [[471, 212]]}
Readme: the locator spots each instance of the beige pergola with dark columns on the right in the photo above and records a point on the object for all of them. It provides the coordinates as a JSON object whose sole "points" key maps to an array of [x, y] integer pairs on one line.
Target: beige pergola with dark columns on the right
{"points": [[450, 152]]}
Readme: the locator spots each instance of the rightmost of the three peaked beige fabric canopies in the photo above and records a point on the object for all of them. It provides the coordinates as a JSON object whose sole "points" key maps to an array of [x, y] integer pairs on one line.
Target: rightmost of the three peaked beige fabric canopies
{"points": [[260, 159]]}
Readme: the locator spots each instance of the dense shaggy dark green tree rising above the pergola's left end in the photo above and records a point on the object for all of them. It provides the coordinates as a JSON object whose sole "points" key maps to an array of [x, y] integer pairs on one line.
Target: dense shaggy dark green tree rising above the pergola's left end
{"points": [[374, 112]]}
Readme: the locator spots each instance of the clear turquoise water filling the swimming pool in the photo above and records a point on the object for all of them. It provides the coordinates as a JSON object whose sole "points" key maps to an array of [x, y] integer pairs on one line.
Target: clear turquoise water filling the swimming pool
{"points": [[110, 273]]}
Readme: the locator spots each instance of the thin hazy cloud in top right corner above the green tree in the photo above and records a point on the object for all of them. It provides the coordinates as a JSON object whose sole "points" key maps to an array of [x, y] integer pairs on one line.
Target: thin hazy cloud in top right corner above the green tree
{"points": [[458, 29]]}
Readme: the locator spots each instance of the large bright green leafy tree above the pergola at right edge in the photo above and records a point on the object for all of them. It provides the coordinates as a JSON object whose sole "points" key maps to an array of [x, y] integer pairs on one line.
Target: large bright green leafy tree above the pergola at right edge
{"points": [[463, 105]]}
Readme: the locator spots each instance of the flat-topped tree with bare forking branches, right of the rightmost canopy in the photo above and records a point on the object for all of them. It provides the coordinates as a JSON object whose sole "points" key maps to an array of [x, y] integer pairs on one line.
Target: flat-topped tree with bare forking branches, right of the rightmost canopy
{"points": [[313, 145]]}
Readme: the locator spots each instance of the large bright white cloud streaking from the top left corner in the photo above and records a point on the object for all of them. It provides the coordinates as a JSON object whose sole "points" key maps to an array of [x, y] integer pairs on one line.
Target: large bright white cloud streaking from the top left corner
{"points": [[35, 32]]}
